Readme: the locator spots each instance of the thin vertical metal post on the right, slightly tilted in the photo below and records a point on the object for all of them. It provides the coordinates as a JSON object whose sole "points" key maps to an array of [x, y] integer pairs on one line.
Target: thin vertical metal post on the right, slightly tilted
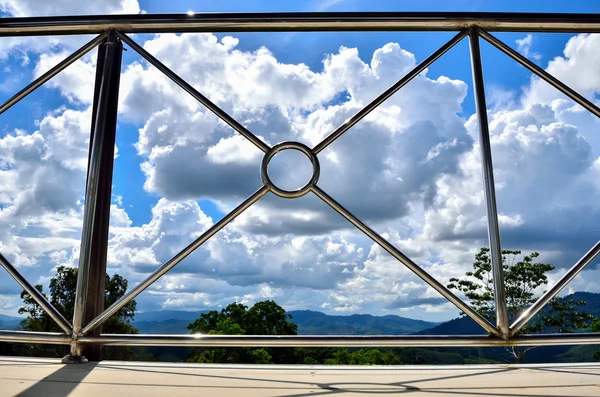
{"points": [[488, 185]]}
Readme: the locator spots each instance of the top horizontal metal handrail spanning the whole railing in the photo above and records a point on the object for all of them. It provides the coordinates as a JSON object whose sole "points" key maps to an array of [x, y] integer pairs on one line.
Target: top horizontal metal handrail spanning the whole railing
{"points": [[301, 21]]}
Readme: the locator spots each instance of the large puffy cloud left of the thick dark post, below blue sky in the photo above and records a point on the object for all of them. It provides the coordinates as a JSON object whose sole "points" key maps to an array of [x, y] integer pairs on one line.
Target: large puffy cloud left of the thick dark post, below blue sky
{"points": [[42, 175]]}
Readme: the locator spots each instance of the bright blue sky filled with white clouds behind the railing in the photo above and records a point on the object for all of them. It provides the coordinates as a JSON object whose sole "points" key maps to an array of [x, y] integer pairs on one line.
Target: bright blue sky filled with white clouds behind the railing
{"points": [[410, 171]]}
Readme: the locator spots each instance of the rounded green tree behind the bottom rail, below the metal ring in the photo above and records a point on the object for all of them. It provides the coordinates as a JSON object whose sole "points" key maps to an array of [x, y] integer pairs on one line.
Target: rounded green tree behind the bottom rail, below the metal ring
{"points": [[264, 318]]}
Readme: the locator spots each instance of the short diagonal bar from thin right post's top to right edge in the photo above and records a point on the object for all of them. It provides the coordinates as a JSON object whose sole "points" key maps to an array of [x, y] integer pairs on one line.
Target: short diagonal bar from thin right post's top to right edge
{"points": [[547, 77]]}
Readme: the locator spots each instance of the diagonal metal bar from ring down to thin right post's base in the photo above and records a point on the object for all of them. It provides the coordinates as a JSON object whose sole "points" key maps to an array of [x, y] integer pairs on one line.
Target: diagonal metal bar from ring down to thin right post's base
{"points": [[406, 261]]}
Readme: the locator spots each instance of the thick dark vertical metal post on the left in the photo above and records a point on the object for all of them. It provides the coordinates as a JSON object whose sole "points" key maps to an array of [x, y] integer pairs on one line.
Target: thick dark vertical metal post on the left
{"points": [[89, 297]]}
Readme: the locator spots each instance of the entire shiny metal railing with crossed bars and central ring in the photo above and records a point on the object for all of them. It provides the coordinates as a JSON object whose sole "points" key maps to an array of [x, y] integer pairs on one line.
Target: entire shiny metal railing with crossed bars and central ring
{"points": [[113, 31]]}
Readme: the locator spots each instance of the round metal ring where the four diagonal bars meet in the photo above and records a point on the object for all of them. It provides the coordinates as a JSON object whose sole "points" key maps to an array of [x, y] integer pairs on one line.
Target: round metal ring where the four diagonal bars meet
{"points": [[264, 173]]}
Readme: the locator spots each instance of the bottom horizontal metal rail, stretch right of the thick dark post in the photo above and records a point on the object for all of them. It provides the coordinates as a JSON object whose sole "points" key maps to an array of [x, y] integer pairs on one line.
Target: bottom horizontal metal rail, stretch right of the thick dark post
{"points": [[343, 340]]}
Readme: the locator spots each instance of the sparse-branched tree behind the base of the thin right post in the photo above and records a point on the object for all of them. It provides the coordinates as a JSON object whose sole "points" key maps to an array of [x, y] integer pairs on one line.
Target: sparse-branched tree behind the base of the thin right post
{"points": [[523, 277]]}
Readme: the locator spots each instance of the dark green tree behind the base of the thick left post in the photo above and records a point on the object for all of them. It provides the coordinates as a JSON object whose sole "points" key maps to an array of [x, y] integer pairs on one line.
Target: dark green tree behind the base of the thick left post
{"points": [[62, 296]]}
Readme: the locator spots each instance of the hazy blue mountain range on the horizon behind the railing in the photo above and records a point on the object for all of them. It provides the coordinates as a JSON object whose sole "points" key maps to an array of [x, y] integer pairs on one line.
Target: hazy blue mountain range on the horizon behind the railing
{"points": [[317, 323]]}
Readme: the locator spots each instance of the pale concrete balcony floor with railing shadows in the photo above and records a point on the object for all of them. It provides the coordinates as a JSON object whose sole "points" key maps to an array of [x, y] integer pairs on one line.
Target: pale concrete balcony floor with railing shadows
{"points": [[49, 378]]}
